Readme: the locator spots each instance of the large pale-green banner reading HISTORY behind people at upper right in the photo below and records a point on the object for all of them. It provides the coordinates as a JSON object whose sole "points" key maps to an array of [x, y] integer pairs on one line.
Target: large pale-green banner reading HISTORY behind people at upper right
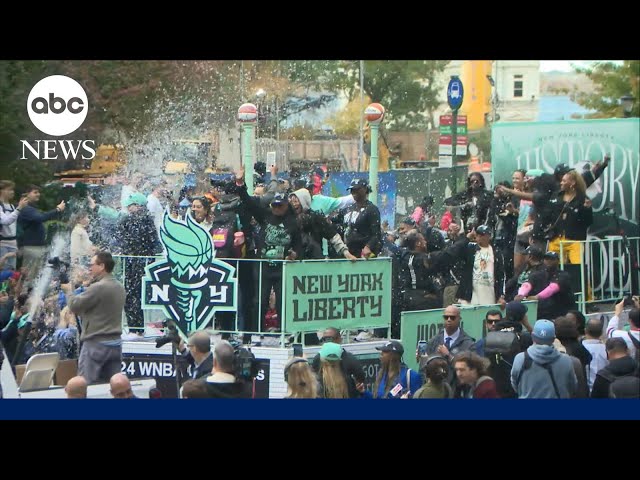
{"points": [[544, 145]]}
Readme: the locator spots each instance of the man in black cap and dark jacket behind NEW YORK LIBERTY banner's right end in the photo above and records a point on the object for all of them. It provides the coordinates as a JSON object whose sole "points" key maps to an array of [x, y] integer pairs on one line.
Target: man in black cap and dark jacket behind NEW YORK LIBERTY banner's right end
{"points": [[363, 234]]}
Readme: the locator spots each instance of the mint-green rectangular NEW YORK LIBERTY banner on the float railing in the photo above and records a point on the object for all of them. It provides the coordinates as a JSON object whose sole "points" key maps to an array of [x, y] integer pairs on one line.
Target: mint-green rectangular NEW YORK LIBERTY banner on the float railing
{"points": [[337, 293]]}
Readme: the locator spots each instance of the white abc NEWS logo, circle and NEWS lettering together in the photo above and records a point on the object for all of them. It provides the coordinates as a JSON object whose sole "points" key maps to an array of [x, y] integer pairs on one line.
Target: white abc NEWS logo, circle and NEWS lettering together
{"points": [[57, 106]]}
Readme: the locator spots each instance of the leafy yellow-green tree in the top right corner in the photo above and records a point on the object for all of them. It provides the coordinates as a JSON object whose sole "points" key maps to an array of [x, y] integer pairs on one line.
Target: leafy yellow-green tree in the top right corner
{"points": [[612, 81]]}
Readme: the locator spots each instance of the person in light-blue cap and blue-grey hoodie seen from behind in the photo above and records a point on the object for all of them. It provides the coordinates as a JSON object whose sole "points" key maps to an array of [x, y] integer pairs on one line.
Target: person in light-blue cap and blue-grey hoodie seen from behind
{"points": [[541, 371]]}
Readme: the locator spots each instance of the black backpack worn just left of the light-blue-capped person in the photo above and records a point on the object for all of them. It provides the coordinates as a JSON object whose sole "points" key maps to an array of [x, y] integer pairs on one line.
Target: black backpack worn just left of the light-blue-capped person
{"points": [[501, 348]]}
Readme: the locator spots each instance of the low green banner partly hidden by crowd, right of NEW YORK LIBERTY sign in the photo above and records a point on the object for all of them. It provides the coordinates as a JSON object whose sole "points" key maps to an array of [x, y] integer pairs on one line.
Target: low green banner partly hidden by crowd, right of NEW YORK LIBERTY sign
{"points": [[425, 324]]}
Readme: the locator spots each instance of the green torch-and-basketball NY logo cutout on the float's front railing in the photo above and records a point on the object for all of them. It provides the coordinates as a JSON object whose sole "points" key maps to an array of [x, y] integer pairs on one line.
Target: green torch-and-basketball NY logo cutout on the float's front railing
{"points": [[189, 285]]}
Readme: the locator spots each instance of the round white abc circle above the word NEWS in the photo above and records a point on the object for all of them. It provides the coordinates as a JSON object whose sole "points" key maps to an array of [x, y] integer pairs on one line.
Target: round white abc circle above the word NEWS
{"points": [[57, 105]]}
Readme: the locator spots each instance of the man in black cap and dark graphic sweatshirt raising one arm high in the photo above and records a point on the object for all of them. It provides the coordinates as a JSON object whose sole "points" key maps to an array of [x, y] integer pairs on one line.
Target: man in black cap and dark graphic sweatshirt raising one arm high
{"points": [[279, 239]]}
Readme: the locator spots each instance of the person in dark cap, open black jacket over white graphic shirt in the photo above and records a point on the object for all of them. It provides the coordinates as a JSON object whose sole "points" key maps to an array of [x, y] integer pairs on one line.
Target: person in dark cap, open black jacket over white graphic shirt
{"points": [[483, 279]]}
